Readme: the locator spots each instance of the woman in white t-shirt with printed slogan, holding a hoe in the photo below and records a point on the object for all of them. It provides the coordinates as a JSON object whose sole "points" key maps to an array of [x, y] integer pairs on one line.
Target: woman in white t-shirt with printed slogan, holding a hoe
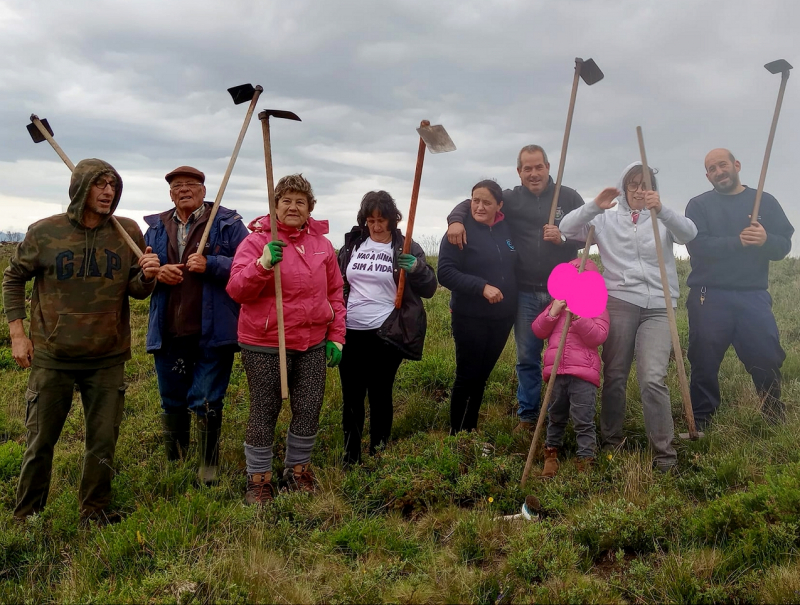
{"points": [[378, 336]]}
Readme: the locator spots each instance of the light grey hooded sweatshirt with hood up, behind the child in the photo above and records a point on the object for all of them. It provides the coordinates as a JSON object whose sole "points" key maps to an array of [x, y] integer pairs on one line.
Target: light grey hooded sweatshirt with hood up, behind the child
{"points": [[628, 249]]}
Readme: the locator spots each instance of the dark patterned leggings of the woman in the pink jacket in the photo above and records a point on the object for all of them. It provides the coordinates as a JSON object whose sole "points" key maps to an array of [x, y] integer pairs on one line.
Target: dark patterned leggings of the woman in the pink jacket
{"points": [[306, 373]]}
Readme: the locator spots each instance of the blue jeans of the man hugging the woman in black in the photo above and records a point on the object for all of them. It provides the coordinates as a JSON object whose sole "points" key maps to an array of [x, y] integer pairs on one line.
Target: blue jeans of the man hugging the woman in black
{"points": [[529, 354]]}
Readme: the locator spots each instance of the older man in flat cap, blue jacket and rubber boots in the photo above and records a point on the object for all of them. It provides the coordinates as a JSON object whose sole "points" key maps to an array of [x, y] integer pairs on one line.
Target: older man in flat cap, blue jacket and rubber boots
{"points": [[193, 321]]}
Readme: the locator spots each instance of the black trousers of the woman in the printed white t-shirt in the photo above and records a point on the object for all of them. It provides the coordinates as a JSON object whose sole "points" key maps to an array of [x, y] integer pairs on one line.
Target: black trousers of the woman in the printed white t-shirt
{"points": [[368, 367]]}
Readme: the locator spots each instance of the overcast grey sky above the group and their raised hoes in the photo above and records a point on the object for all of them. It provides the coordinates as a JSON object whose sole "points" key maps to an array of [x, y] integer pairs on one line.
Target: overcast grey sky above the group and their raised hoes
{"points": [[143, 85]]}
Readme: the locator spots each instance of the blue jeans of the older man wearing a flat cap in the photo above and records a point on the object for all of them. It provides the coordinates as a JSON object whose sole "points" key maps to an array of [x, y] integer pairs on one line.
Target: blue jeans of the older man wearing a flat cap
{"points": [[192, 377]]}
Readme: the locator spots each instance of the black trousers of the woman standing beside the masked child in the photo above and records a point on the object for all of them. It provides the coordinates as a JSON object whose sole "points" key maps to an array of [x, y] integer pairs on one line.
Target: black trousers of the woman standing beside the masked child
{"points": [[479, 343]]}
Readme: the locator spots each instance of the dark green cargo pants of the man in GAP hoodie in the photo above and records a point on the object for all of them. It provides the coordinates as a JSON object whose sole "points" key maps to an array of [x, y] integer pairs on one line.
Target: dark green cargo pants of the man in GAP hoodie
{"points": [[49, 398]]}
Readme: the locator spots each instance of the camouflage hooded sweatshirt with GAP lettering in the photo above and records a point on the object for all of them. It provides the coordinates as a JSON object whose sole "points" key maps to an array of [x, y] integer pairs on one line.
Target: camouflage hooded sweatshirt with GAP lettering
{"points": [[80, 316]]}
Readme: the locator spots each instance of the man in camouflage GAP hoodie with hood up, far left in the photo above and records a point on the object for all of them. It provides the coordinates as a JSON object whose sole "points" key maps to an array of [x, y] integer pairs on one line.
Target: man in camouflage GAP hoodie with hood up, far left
{"points": [[80, 334]]}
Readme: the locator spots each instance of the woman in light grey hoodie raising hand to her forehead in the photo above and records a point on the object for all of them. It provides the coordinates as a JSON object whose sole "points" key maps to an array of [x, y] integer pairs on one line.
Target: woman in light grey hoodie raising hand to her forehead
{"points": [[636, 304]]}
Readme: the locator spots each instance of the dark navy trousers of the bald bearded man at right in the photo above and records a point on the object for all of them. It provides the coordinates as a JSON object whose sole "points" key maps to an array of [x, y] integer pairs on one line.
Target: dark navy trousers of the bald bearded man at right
{"points": [[744, 319]]}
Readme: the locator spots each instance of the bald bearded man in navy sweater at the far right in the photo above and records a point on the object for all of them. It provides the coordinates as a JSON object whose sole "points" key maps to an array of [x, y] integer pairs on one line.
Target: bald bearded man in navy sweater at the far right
{"points": [[728, 301]]}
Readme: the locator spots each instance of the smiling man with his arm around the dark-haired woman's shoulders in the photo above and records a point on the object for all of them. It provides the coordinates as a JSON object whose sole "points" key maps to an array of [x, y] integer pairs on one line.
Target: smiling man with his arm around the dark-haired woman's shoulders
{"points": [[540, 247]]}
